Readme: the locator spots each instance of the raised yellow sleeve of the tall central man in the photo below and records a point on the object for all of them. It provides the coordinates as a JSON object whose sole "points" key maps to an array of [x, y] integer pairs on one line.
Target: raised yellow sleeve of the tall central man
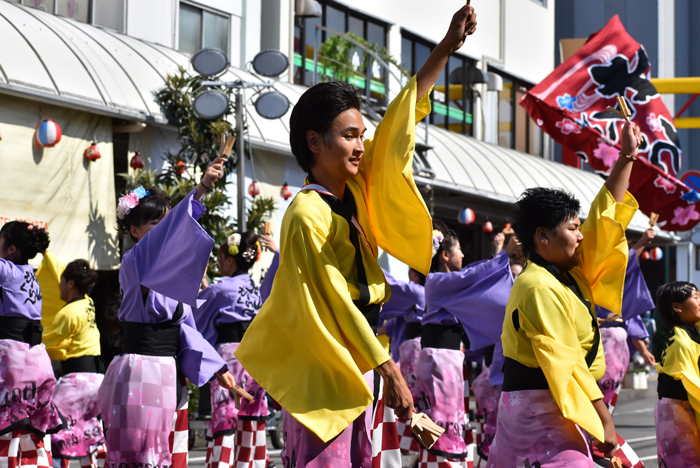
{"points": [[398, 215]]}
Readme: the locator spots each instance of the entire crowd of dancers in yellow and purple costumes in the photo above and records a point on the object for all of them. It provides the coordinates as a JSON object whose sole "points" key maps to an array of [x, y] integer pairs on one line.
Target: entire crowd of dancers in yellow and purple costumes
{"points": [[553, 317]]}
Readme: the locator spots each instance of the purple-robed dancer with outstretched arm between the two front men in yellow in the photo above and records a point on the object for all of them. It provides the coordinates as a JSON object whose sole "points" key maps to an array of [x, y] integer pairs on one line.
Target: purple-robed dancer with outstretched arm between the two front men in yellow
{"points": [[470, 299]]}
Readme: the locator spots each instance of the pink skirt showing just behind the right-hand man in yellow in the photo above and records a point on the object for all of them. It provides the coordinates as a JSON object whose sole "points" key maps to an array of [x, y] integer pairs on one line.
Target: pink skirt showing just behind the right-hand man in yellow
{"points": [[617, 359]]}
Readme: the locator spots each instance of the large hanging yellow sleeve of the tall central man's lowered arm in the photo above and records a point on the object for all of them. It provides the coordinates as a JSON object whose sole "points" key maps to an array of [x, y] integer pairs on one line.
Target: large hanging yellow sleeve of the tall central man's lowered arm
{"points": [[309, 346]]}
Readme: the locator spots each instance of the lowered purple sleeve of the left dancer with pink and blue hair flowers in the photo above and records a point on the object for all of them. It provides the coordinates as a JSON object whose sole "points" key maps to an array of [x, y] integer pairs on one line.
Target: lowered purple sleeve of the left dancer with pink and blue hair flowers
{"points": [[198, 360]]}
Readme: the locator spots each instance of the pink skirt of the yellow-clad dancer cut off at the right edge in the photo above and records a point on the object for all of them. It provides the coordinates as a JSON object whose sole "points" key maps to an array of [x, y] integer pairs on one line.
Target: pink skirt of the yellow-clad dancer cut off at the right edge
{"points": [[677, 438]]}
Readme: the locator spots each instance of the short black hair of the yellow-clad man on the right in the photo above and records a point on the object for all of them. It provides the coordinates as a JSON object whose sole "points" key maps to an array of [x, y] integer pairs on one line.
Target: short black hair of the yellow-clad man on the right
{"points": [[542, 207]]}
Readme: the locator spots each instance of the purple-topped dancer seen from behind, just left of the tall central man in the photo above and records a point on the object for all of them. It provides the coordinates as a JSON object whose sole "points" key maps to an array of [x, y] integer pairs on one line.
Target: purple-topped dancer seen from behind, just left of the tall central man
{"points": [[236, 437]]}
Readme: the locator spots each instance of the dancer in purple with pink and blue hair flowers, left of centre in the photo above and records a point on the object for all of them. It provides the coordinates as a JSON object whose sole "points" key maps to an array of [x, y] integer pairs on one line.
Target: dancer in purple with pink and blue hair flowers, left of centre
{"points": [[143, 398]]}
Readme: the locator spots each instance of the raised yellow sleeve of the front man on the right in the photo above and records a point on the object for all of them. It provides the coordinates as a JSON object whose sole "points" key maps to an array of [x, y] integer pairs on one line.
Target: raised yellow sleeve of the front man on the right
{"points": [[604, 247]]}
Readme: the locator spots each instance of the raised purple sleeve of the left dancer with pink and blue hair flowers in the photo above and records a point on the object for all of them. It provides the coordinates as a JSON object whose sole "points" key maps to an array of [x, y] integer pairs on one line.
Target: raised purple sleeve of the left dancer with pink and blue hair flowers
{"points": [[172, 258]]}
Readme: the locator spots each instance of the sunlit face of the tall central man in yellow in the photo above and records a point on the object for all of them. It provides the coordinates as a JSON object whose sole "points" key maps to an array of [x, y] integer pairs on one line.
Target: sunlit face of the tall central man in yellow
{"points": [[339, 153]]}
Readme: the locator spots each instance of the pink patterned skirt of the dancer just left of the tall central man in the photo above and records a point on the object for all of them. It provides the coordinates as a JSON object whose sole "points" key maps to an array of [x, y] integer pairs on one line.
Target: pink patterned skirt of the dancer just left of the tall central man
{"points": [[224, 415]]}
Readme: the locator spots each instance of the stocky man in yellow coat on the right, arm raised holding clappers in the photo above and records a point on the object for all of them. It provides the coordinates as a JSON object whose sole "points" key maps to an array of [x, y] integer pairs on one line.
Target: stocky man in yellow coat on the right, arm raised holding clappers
{"points": [[551, 340]]}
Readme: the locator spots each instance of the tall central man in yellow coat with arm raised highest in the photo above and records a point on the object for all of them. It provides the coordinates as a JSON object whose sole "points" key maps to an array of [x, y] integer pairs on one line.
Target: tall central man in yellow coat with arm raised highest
{"points": [[313, 341]]}
